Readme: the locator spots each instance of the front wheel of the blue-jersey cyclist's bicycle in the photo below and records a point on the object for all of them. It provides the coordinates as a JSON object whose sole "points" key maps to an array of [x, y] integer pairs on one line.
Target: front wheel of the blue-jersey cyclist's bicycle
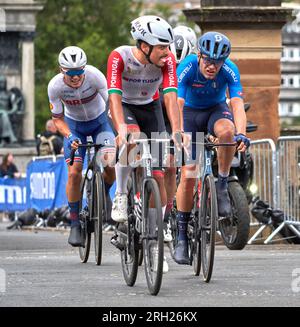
{"points": [[208, 217]]}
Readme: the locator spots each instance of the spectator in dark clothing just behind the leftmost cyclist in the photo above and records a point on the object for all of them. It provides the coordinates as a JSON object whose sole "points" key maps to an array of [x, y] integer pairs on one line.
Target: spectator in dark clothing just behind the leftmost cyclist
{"points": [[50, 142]]}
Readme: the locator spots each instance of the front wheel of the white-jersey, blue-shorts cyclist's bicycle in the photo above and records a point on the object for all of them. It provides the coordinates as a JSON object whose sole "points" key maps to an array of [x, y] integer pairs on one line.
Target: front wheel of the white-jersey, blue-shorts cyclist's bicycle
{"points": [[99, 212]]}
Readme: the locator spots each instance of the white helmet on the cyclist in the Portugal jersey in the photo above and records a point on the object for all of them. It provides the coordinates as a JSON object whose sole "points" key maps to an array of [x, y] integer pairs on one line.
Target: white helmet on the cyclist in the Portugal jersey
{"points": [[152, 30]]}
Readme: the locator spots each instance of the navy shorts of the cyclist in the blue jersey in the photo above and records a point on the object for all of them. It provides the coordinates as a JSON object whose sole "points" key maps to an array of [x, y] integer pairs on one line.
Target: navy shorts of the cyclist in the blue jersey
{"points": [[203, 120]]}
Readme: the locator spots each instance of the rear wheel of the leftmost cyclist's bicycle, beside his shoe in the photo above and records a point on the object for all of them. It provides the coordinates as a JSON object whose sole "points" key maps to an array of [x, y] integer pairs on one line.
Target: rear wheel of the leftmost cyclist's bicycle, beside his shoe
{"points": [[85, 209]]}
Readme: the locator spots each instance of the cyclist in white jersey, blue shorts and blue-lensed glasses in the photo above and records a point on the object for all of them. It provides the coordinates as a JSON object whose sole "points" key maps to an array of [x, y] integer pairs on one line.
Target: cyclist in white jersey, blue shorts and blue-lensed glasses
{"points": [[78, 97]]}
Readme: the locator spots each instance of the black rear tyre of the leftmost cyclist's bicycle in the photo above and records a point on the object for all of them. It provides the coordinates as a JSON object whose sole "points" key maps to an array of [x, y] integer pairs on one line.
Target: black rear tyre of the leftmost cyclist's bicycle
{"points": [[84, 252]]}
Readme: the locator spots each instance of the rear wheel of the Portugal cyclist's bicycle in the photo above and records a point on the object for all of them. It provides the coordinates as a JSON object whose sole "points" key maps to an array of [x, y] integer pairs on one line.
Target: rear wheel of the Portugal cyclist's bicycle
{"points": [[129, 241]]}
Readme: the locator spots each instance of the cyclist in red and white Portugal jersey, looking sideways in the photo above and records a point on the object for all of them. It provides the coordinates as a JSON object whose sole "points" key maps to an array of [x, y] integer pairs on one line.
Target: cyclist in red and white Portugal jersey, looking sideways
{"points": [[134, 74]]}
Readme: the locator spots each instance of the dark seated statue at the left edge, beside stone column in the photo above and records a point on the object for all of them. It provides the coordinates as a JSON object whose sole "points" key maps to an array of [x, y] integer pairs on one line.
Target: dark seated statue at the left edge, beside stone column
{"points": [[11, 113]]}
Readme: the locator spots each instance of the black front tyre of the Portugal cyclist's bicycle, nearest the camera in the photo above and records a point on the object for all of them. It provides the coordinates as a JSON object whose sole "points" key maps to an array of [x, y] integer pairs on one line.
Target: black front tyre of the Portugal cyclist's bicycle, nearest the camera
{"points": [[154, 280]]}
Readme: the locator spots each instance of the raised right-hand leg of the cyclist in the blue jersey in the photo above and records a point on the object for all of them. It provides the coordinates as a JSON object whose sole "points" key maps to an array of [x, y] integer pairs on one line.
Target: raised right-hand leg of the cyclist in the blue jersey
{"points": [[221, 125]]}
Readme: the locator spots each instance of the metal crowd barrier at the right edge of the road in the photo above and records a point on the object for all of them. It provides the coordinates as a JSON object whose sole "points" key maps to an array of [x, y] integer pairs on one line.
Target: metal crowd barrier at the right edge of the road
{"points": [[277, 177]]}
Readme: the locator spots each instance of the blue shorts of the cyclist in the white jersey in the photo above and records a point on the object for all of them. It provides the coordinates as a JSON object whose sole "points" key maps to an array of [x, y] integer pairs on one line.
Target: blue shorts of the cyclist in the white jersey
{"points": [[100, 131]]}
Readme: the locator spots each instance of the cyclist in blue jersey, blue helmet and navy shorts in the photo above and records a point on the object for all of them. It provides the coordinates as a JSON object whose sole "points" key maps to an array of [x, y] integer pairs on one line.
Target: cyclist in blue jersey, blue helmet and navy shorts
{"points": [[203, 80]]}
